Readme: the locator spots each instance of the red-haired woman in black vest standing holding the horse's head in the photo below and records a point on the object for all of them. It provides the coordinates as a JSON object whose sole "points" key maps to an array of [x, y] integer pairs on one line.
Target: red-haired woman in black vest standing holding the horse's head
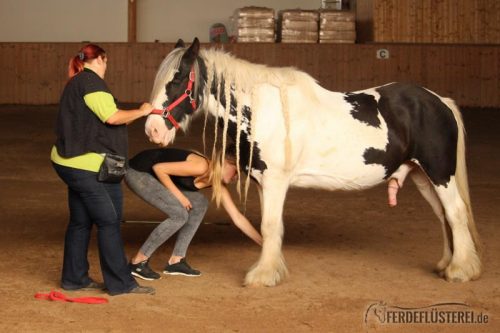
{"points": [[89, 128]]}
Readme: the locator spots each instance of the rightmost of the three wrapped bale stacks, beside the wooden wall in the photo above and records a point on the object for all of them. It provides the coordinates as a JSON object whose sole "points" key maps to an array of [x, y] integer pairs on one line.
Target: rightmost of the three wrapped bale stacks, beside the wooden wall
{"points": [[337, 26]]}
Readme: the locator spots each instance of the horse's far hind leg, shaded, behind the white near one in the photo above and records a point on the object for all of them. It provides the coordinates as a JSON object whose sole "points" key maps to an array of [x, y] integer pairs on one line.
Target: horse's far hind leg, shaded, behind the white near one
{"points": [[427, 190]]}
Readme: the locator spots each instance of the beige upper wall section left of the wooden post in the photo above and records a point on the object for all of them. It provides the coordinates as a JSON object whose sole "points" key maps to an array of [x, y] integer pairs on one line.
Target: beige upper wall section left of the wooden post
{"points": [[63, 20]]}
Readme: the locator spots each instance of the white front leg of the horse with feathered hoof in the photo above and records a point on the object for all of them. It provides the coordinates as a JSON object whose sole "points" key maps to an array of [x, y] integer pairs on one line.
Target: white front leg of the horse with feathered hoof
{"points": [[271, 269]]}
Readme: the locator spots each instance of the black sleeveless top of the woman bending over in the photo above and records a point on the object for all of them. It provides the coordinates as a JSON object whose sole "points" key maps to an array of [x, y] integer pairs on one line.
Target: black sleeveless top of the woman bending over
{"points": [[145, 160]]}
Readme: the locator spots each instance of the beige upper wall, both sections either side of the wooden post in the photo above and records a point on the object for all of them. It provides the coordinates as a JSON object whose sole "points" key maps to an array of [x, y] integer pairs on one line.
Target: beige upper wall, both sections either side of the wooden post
{"points": [[106, 20]]}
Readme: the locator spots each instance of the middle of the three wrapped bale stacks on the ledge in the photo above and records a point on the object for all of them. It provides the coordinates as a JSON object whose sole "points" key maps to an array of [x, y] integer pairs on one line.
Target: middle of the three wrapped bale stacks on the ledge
{"points": [[298, 26]]}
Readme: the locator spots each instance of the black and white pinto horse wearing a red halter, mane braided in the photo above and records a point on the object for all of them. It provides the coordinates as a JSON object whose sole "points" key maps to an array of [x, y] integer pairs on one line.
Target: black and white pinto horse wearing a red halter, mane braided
{"points": [[289, 131]]}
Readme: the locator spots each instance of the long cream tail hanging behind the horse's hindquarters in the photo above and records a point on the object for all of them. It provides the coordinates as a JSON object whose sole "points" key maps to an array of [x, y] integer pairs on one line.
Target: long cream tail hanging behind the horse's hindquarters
{"points": [[461, 173]]}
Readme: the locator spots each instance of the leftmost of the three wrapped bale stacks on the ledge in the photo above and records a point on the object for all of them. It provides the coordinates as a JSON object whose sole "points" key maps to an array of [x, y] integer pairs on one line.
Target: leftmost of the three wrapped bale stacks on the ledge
{"points": [[254, 24]]}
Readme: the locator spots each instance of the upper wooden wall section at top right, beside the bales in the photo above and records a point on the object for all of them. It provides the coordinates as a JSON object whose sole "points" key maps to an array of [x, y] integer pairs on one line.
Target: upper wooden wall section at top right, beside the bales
{"points": [[429, 21]]}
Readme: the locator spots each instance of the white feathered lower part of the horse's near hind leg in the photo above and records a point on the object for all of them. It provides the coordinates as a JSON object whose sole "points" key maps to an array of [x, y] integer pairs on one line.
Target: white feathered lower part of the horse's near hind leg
{"points": [[465, 264]]}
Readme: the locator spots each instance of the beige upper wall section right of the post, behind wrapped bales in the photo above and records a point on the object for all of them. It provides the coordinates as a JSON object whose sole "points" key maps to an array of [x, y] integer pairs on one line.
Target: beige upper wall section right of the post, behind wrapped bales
{"points": [[168, 21]]}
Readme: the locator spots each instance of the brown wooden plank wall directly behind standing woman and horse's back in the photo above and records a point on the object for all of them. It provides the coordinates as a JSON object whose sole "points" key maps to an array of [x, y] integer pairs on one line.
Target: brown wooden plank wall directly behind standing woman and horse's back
{"points": [[35, 73]]}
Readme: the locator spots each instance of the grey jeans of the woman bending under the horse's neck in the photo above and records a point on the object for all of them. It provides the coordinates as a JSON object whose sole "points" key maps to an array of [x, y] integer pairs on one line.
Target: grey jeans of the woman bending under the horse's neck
{"points": [[179, 219]]}
